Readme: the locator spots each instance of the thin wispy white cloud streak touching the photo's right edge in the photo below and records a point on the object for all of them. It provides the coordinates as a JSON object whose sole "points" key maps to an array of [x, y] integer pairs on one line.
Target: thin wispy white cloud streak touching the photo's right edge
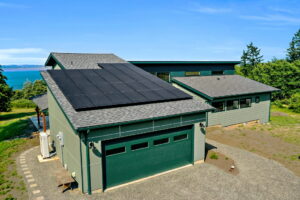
{"points": [[273, 18]]}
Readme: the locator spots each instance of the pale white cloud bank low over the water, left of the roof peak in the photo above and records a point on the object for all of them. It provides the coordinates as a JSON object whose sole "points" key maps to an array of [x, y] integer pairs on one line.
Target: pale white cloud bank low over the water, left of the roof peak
{"points": [[22, 56]]}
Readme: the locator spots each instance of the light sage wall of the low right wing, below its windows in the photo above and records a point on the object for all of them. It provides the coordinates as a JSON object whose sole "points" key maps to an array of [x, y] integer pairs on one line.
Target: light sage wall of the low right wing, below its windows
{"points": [[257, 111]]}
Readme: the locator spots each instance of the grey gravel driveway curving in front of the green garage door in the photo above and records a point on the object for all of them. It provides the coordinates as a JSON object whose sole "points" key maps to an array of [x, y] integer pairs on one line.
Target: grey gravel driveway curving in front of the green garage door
{"points": [[259, 178]]}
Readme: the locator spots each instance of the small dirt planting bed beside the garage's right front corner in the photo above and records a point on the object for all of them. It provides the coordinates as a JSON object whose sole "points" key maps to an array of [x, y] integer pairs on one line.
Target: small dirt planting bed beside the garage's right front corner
{"points": [[221, 161]]}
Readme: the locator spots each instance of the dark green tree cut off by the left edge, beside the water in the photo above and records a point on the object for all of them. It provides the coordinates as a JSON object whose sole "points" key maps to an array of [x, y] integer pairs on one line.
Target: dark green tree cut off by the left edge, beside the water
{"points": [[5, 93]]}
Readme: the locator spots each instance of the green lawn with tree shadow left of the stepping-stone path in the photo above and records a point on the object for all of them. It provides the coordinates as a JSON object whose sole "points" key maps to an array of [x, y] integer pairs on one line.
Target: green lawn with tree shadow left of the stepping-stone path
{"points": [[12, 125]]}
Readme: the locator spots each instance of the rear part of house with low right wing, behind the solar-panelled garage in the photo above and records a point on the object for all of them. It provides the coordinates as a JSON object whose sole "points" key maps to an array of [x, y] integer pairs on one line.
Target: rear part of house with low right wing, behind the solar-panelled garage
{"points": [[236, 99]]}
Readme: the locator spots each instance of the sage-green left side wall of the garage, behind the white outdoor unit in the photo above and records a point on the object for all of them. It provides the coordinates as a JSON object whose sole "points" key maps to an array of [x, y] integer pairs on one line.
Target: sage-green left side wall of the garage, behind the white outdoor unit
{"points": [[69, 154]]}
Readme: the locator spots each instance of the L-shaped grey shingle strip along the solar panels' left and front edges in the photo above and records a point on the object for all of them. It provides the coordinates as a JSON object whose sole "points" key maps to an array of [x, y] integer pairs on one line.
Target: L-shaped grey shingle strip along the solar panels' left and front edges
{"points": [[106, 116]]}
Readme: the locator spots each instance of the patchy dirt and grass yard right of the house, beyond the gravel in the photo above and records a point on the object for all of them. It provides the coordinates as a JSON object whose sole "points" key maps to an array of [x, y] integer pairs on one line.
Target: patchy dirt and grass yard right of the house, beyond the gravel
{"points": [[279, 140]]}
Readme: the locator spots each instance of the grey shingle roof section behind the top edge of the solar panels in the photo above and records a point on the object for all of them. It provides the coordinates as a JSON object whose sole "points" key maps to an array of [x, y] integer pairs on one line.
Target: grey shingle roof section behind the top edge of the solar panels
{"points": [[85, 60]]}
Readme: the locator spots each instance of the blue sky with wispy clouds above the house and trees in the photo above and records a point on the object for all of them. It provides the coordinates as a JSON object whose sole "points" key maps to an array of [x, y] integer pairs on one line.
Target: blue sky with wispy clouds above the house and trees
{"points": [[146, 30]]}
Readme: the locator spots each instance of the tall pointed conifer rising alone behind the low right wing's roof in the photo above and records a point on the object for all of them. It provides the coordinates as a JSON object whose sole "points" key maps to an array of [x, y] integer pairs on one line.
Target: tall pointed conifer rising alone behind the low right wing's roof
{"points": [[250, 58]]}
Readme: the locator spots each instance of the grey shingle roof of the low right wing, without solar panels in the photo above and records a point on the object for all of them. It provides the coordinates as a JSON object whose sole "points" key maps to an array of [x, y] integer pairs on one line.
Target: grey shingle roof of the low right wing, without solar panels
{"points": [[224, 85]]}
